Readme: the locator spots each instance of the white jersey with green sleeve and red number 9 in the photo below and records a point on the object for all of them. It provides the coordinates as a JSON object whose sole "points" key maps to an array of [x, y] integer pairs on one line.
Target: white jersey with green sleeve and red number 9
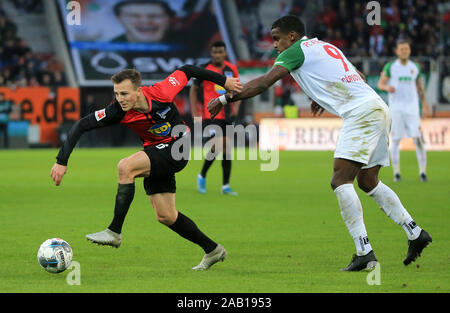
{"points": [[326, 76]]}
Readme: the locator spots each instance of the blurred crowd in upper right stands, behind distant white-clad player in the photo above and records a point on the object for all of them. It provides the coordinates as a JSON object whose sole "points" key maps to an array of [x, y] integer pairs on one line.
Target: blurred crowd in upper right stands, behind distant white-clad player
{"points": [[344, 24]]}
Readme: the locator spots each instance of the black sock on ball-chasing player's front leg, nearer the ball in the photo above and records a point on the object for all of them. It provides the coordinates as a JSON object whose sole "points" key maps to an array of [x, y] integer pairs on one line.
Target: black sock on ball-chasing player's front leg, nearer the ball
{"points": [[124, 197]]}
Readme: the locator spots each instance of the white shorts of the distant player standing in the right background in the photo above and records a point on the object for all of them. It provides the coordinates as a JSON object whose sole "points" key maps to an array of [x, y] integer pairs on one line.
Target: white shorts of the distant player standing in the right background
{"points": [[404, 124]]}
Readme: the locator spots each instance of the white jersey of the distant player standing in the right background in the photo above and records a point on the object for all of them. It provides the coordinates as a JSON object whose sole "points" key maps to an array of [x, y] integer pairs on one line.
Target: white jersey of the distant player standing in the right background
{"points": [[403, 78]]}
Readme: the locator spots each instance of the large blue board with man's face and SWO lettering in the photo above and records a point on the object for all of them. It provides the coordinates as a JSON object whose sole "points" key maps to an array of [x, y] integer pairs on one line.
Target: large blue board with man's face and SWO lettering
{"points": [[154, 37]]}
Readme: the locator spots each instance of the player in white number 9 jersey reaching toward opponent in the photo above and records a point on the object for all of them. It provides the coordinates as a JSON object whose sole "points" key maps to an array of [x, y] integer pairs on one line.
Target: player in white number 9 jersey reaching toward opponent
{"points": [[327, 77]]}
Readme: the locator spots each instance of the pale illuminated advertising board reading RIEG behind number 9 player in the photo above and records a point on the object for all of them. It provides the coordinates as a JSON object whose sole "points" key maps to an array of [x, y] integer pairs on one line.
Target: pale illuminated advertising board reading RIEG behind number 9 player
{"points": [[322, 134]]}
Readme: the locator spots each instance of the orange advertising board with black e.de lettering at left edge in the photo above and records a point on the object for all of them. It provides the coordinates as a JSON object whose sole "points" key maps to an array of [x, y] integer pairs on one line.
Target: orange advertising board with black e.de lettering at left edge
{"points": [[39, 106]]}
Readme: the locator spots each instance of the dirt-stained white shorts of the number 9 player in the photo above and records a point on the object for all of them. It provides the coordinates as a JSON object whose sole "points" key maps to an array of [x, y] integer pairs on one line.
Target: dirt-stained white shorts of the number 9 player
{"points": [[364, 136]]}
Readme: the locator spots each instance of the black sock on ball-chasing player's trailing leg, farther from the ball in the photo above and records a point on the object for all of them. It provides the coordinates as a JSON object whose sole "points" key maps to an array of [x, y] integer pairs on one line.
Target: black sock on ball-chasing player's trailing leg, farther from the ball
{"points": [[187, 229]]}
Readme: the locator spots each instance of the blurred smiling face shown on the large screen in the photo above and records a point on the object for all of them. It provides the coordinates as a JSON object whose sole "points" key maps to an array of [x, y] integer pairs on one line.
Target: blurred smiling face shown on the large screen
{"points": [[144, 22]]}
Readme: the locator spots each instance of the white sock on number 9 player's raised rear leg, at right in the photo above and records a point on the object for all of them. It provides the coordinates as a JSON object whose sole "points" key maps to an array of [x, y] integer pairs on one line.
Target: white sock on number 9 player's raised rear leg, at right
{"points": [[390, 204]]}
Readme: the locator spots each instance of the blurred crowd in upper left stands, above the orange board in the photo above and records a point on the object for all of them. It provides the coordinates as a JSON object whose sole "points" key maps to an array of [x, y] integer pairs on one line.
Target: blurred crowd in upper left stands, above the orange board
{"points": [[20, 67]]}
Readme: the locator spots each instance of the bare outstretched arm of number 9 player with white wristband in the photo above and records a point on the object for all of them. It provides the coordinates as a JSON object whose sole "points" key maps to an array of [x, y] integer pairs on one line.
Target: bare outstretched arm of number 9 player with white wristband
{"points": [[251, 89]]}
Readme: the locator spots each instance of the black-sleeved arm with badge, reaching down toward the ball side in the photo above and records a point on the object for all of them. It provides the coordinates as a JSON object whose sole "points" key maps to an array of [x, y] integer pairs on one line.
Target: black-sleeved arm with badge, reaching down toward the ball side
{"points": [[112, 114]]}
